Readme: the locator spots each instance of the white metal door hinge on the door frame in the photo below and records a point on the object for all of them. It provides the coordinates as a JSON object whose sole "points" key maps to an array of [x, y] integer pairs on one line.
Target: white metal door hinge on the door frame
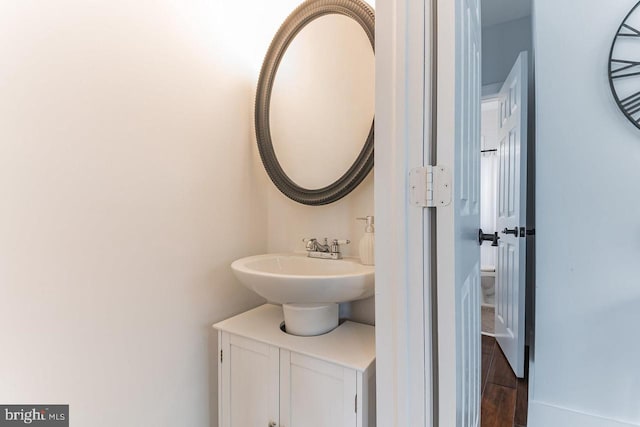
{"points": [[430, 187]]}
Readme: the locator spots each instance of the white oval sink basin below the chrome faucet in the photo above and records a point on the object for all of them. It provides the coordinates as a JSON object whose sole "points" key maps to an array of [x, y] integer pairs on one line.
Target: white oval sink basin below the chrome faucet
{"points": [[298, 279]]}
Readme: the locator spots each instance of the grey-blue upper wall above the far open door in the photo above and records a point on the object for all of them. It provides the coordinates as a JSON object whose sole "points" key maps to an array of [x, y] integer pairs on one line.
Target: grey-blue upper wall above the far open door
{"points": [[501, 44]]}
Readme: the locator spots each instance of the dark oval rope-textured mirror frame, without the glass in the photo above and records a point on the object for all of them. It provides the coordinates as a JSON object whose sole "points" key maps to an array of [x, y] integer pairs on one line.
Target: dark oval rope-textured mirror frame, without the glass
{"points": [[364, 15]]}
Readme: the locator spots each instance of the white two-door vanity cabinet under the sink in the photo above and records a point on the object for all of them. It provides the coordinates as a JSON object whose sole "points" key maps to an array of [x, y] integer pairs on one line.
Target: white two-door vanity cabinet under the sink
{"points": [[267, 378]]}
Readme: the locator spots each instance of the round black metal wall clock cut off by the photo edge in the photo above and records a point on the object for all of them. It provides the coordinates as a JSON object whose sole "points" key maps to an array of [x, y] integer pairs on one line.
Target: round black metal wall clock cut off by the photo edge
{"points": [[624, 66]]}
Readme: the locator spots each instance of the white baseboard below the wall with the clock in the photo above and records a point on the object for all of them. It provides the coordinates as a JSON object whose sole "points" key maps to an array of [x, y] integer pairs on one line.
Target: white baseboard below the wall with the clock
{"points": [[544, 415]]}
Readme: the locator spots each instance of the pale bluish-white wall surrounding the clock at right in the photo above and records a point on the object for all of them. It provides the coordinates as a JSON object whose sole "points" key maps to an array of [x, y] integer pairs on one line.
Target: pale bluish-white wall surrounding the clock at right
{"points": [[586, 365]]}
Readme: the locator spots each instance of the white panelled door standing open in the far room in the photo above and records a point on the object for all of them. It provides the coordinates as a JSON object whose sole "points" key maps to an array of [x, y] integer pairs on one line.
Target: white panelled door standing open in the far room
{"points": [[512, 216]]}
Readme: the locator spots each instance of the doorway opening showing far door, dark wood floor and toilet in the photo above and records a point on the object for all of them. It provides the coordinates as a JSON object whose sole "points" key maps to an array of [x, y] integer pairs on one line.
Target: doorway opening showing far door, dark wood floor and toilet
{"points": [[506, 126]]}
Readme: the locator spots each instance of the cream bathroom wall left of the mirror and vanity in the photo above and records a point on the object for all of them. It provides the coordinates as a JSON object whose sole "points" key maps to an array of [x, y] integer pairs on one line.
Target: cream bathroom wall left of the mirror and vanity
{"points": [[129, 182]]}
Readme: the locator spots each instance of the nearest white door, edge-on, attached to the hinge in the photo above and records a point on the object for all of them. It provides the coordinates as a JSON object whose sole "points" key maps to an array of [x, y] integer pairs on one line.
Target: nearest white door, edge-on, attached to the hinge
{"points": [[457, 251]]}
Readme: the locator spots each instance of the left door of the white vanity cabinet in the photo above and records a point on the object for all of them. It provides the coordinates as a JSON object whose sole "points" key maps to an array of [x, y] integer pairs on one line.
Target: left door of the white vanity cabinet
{"points": [[248, 383]]}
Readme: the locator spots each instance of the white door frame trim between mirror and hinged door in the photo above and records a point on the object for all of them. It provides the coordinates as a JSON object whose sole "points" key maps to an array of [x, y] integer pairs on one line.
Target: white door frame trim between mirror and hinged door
{"points": [[403, 323]]}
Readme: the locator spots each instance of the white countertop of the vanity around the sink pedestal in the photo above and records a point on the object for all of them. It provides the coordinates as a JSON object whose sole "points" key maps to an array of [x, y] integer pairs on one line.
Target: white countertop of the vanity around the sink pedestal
{"points": [[350, 344]]}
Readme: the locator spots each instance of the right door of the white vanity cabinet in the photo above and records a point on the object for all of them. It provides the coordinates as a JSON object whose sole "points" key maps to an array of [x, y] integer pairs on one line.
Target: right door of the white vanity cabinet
{"points": [[314, 393]]}
